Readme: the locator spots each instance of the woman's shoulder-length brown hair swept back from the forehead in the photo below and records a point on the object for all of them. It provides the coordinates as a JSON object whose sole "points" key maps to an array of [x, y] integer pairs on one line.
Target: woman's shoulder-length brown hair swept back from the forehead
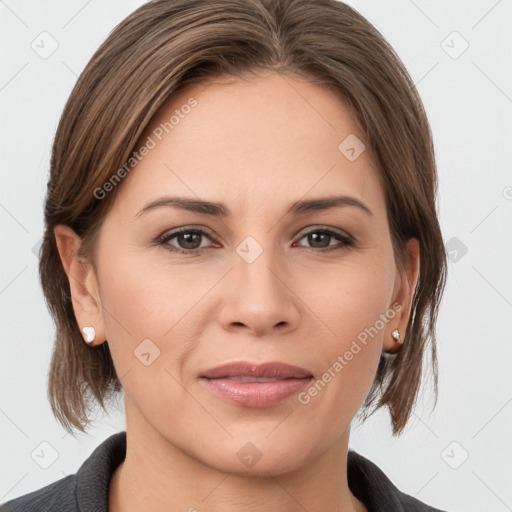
{"points": [[165, 45]]}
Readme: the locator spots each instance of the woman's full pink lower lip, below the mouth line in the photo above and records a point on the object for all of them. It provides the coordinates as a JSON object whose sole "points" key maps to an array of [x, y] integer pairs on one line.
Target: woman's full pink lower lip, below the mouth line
{"points": [[255, 394]]}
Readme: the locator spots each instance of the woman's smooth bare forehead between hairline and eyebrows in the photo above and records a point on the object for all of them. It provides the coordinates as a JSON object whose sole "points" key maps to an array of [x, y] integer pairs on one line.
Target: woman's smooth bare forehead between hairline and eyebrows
{"points": [[253, 140]]}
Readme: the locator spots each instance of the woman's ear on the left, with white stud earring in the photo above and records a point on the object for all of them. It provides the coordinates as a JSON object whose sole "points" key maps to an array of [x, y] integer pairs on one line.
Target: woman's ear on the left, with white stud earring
{"points": [[83, 283]]}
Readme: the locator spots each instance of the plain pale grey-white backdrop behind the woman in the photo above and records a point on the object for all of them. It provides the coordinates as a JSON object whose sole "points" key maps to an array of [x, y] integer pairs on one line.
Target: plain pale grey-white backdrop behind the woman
{"points": [[457, 458]]}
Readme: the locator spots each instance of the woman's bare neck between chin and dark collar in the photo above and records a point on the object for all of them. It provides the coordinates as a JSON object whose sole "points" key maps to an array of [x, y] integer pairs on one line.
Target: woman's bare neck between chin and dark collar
{"points": [[158, 476]]}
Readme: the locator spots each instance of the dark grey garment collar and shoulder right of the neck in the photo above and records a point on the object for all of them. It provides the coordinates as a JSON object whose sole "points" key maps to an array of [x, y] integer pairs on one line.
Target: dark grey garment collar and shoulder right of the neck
{"points": [[370, 485]]}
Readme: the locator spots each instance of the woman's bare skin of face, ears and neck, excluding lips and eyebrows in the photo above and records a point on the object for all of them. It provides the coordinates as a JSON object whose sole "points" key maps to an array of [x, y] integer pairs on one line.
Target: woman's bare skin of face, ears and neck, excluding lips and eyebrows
{"points": [[256, 145]]}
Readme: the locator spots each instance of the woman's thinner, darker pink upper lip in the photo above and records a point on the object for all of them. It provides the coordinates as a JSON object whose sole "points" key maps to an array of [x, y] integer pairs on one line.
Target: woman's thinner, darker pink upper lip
{"points": [[273, 369]]}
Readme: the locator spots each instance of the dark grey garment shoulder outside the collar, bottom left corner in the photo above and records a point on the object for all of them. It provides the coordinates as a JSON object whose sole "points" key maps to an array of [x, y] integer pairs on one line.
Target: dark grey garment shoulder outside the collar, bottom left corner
{"points": [[59, 495]]}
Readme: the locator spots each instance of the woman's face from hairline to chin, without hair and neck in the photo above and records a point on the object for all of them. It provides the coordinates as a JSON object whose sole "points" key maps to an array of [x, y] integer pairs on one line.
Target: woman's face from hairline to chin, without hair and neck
{"points": [[315, 288]]}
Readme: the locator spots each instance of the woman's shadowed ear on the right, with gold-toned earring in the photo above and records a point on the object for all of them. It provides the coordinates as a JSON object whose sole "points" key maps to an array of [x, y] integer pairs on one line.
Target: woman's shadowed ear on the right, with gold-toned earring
{"points": [[405, 287]]}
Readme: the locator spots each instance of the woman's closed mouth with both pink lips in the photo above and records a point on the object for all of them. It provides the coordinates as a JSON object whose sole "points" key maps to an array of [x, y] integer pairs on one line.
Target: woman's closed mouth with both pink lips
{"points": [[255, 385]]}
